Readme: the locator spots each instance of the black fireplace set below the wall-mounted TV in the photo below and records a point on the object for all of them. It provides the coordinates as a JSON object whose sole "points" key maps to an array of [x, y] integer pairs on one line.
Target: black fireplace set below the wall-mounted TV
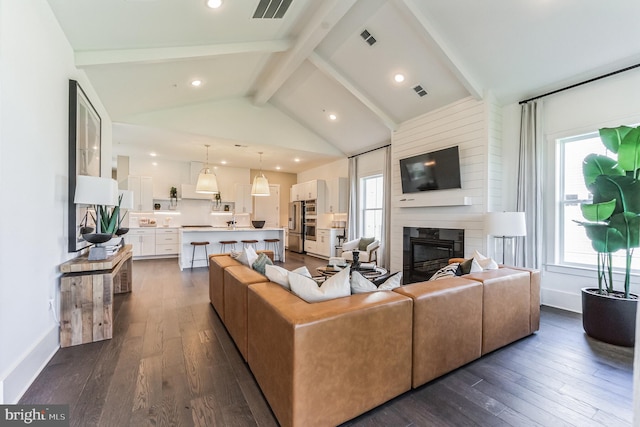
{"points": [[426, 250]]}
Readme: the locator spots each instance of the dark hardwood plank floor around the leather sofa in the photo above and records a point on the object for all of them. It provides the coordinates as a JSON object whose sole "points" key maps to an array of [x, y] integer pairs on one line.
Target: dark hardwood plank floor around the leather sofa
{"points": [[172, 363]]}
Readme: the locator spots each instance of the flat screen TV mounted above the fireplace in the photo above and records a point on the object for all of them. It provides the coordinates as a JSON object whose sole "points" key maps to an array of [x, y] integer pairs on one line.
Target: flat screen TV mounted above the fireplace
{"points": [[437, 170]]}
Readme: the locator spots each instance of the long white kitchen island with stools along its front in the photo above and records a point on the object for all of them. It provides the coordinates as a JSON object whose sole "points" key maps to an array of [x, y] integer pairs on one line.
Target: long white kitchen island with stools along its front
{"points": [[214, 235]]}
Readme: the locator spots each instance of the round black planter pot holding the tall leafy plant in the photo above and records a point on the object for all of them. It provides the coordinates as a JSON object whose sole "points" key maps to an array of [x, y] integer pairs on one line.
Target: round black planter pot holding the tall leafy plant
{"points": [[609, 319]]}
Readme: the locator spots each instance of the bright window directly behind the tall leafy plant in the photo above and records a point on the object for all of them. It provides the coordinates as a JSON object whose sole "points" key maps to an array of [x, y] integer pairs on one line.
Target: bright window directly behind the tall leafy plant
{"points": [[574, 245]]}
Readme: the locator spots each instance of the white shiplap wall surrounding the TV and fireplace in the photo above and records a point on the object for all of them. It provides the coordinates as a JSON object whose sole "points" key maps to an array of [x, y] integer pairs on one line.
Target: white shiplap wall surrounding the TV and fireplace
{"points": [[476, 128]]}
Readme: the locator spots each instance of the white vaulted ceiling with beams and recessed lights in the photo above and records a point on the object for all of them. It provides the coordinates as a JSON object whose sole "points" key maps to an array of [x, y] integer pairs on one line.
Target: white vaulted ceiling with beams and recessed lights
{"points": [[269, 84]]}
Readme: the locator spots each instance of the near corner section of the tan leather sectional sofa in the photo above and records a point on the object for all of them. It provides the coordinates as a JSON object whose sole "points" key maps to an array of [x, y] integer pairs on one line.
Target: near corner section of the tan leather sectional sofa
{"points": [[325, 363]]}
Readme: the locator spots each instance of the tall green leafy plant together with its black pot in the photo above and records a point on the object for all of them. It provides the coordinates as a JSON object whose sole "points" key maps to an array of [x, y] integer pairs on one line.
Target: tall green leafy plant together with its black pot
{"points": [[613, 224]]}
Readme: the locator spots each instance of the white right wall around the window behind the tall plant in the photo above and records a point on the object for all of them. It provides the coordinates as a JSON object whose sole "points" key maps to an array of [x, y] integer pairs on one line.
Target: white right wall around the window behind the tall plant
{"points": [[609, 102]]}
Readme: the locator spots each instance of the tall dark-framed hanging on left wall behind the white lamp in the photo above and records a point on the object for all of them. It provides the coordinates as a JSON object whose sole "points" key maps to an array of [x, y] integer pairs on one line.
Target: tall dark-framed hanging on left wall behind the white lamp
{"points": [[85, 144]]}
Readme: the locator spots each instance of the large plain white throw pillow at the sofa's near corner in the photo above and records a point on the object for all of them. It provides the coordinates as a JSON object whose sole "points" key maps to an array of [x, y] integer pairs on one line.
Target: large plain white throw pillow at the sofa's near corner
{"points": [[336, 286]]}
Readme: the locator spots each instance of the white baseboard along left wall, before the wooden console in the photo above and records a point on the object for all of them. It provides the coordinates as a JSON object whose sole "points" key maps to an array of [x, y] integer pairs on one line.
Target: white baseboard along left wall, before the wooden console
{"points": [[20, 377]]}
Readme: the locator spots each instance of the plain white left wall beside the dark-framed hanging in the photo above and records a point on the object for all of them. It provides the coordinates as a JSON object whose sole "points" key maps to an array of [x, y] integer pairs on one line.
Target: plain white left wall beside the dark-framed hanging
{"points": [[36, 63]]}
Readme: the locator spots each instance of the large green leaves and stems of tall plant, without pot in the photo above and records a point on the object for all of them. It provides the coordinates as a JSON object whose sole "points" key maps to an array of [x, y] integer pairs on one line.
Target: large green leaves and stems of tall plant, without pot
{"points": [[612, 222]]}
